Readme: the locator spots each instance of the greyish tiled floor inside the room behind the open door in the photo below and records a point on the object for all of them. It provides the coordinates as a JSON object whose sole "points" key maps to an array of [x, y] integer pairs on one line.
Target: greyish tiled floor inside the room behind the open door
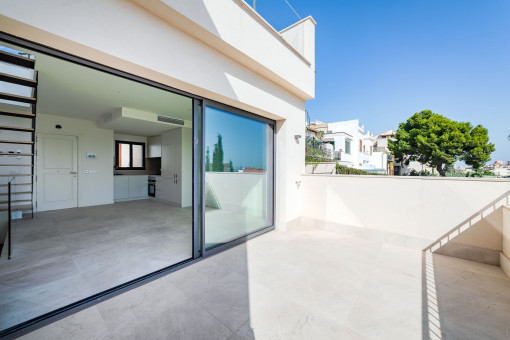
{"points": [[62, 256]]}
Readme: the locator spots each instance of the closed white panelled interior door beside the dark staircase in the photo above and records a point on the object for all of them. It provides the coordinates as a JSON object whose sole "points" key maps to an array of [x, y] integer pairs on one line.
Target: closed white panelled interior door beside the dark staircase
{"points": [[57, 164]]}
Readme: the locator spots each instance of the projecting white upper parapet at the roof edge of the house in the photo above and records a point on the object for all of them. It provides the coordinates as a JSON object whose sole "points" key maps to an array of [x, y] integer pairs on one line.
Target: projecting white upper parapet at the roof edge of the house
{"points": [[237, 30]]}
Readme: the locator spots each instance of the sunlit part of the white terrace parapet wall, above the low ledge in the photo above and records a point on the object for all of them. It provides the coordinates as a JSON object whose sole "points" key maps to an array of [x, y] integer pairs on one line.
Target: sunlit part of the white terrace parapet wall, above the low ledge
{"points": [[419, 208]]}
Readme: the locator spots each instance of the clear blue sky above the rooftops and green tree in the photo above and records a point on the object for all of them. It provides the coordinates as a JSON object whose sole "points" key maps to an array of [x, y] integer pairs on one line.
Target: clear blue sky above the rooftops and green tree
{"points": [[383, 60]]}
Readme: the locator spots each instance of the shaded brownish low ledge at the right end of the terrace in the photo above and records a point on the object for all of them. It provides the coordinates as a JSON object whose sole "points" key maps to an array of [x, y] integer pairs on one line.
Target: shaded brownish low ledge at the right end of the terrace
{"points": [[470, 253]]}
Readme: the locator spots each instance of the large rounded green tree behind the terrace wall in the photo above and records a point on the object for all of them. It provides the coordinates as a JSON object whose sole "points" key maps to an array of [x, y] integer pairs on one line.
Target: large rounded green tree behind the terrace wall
{"points": [[435, 140]]}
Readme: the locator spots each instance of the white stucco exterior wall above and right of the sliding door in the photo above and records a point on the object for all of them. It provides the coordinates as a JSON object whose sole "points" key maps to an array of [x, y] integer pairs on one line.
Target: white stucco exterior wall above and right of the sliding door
{"points": [[180, 47]]}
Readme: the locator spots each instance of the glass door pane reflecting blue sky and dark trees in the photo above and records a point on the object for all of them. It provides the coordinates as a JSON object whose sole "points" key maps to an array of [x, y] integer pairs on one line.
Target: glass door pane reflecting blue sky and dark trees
{"points": [[238, 192]]}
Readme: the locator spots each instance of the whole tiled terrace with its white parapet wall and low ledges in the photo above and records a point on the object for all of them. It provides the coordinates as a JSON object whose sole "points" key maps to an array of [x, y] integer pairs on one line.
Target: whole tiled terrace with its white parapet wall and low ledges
{"points": [[406, 270]]}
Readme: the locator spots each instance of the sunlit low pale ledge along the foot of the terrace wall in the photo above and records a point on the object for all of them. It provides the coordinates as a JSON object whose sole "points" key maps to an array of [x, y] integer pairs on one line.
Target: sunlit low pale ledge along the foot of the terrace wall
{"points": [[407, 241]]}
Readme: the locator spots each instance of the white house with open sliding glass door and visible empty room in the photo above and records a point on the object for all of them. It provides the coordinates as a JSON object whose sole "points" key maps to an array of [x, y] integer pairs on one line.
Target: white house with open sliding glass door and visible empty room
{"points": [[141, 135]]}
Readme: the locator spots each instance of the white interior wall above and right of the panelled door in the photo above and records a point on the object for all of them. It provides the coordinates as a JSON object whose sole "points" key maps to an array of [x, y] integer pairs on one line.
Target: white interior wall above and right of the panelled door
{"points": [[93, 188]]}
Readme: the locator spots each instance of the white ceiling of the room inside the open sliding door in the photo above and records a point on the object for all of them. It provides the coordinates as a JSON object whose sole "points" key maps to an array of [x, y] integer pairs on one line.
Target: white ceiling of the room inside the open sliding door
{"points": [[71, 90]]}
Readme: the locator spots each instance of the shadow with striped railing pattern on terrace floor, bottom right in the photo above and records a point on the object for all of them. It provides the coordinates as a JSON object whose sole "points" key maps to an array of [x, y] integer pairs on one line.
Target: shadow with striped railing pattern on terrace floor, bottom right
{"points": [[463, 299]]}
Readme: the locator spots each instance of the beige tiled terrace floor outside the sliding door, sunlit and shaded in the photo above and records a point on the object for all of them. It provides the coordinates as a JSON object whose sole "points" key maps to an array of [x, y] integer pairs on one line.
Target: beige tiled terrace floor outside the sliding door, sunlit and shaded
{"points": [[307, 284]]}
